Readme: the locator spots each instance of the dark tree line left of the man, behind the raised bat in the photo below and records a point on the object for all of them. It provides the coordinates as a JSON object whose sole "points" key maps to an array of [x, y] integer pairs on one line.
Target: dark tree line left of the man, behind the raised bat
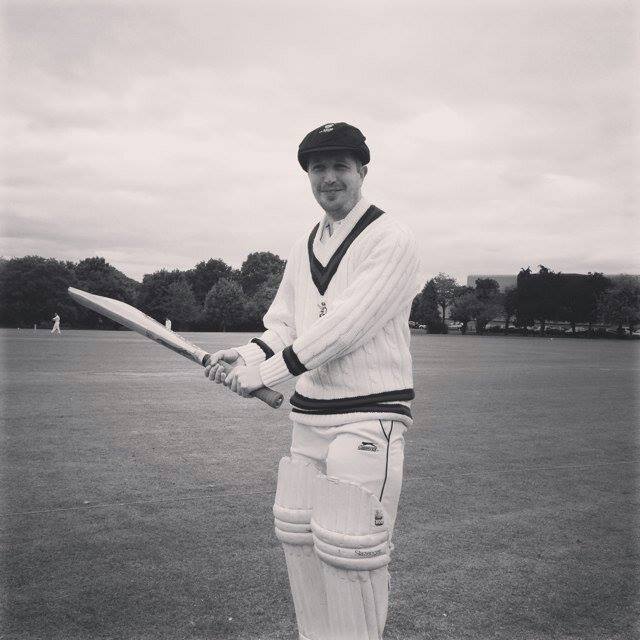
{"points": [[212, 296]]}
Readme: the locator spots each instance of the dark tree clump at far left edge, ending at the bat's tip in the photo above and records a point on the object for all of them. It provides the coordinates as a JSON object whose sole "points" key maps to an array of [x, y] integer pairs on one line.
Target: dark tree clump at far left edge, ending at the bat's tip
{"points": [[33, 288]]}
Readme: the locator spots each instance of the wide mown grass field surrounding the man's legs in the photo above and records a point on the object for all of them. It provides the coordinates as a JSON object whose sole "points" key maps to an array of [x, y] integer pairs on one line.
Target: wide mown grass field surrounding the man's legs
{"points": [[136, 496]]}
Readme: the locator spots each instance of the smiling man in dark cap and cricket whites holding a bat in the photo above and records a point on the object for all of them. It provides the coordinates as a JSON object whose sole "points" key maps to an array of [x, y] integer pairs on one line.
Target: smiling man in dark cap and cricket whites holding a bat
{"points": [[339, 321]]}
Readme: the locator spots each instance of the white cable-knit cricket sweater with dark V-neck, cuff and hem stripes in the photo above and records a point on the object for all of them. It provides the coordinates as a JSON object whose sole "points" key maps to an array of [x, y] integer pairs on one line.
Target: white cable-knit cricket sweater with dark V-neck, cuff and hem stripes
{"points": [[340, 321]]}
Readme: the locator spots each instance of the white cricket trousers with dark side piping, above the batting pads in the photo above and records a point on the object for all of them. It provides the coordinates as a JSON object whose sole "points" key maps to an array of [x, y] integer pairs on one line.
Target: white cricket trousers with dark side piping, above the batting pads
{"points": [[369, 453]]}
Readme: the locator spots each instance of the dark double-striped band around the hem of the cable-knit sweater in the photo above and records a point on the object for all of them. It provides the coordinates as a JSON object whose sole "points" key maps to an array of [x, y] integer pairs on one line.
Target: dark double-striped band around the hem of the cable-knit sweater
{"points": [[385, 402]]}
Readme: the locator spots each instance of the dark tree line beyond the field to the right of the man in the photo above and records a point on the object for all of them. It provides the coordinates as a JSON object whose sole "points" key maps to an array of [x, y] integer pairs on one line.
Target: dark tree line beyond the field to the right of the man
{"points": [[537, 300]]}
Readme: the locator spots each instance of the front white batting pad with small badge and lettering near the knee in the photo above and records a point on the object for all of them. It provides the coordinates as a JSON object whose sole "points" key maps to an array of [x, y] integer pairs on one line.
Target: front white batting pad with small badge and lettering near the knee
{"points": [[351, 538]]}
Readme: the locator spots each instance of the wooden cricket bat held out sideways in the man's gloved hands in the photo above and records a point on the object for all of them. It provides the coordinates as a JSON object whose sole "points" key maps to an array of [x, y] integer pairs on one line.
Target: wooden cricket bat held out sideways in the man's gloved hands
{"points": [[134, 319]]}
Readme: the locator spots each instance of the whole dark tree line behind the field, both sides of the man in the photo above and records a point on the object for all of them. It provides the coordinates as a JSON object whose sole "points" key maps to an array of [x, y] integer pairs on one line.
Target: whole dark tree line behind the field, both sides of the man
{"points": [[213, 296]]}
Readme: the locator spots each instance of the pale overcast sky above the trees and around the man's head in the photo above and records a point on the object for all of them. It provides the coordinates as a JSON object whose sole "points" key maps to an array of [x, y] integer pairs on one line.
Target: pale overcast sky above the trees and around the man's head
{"points": [[161, 134]]}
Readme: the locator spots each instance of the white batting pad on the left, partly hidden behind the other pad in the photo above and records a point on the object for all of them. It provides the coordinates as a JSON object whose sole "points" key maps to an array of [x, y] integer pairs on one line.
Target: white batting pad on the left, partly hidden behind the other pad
{"points": [[292, 512]]}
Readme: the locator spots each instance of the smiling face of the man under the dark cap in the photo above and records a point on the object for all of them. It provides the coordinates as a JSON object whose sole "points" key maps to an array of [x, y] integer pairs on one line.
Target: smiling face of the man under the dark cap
{"points": [[336, 181]]}
